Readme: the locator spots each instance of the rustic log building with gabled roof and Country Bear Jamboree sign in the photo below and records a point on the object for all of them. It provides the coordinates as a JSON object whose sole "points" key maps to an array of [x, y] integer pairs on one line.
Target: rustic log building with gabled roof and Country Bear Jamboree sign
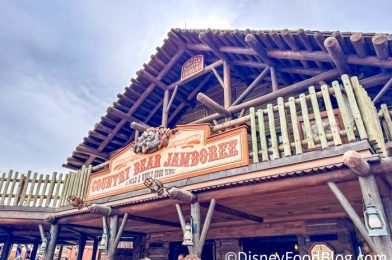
{"points": [[260, 142]]}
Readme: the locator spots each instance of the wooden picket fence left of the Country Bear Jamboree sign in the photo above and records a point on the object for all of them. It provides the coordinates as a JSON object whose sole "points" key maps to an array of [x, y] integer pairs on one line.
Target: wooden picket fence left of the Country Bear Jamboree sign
{"points": [[40, 190]]}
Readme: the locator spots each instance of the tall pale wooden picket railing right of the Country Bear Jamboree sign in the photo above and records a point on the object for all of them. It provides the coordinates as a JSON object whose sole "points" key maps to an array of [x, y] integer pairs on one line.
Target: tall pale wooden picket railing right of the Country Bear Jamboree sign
{"points": [[328, 116]]}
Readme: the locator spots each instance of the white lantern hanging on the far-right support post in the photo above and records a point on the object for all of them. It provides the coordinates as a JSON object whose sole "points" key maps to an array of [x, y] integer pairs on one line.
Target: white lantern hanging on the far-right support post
{"points": [[375, 222]]}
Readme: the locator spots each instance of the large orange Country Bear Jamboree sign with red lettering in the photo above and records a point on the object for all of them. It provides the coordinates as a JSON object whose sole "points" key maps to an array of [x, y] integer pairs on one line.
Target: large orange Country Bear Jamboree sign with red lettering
{"points": [[192, 151]]}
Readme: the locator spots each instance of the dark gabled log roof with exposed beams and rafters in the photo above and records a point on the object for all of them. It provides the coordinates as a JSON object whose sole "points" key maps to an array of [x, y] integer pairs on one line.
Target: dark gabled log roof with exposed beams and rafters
{"points": [[296, 55]]}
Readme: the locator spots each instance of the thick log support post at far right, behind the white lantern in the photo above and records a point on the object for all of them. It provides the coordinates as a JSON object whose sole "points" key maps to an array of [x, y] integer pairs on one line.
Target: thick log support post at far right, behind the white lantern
{"points": [[371, 196]]}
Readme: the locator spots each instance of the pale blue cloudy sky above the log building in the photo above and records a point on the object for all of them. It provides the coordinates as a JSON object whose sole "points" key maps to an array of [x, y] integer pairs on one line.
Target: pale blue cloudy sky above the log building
{"points": [[62, 63]]}
